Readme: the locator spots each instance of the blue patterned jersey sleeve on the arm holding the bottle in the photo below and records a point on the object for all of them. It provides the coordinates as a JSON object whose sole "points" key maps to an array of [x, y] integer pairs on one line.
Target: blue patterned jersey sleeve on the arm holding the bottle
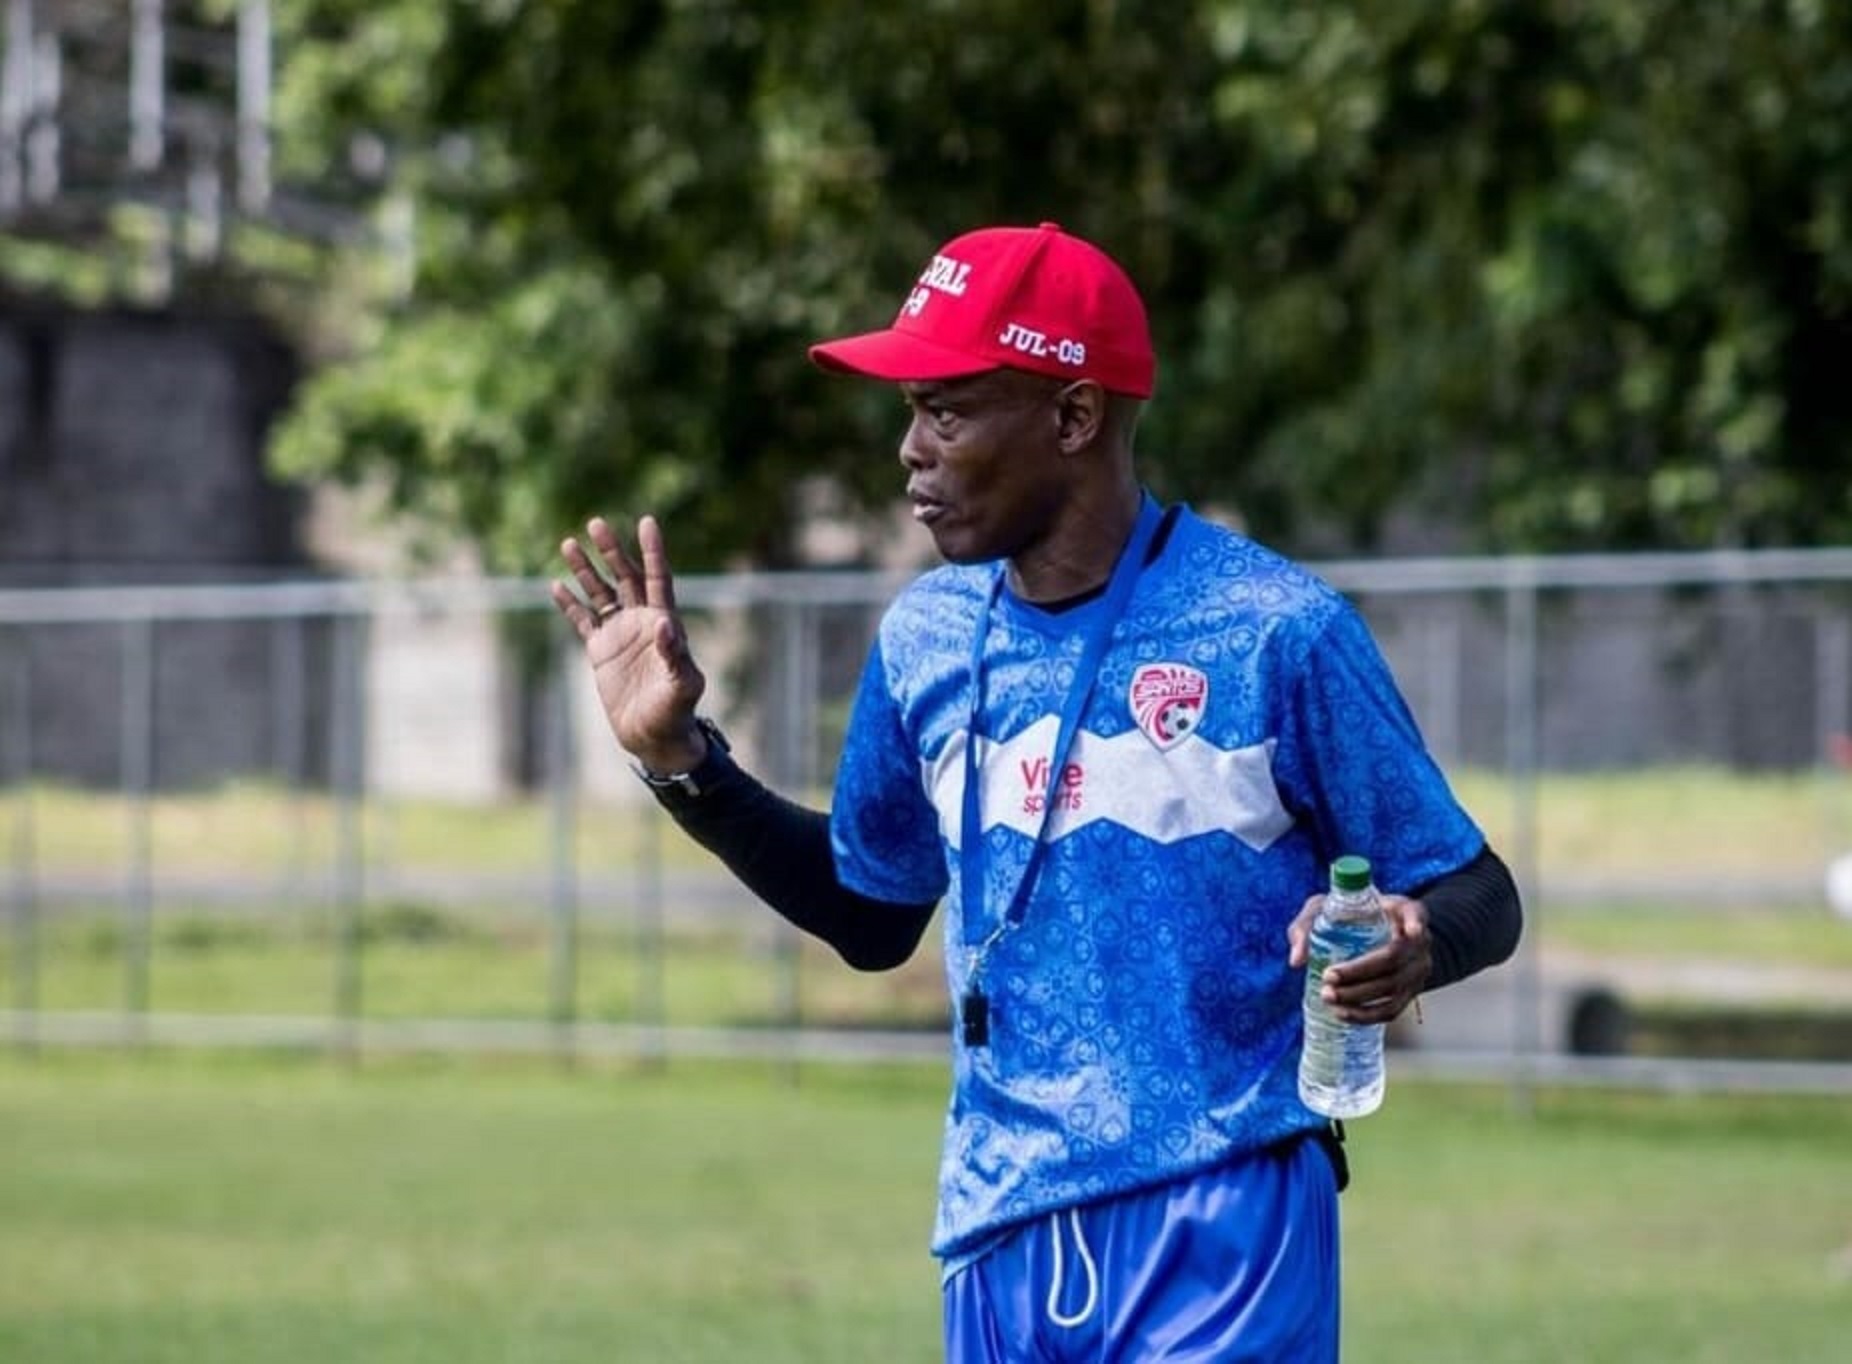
{"points": [[1355, 763]]}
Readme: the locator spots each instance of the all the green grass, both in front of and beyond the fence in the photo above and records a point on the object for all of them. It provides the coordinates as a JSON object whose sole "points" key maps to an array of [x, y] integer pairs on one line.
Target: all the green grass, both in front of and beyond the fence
{"points": [[164, 1209]]}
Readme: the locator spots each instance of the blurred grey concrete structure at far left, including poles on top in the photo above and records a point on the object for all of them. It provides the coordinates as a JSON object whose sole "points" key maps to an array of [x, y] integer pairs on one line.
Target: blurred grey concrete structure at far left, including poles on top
{"points": [[134, 151]]}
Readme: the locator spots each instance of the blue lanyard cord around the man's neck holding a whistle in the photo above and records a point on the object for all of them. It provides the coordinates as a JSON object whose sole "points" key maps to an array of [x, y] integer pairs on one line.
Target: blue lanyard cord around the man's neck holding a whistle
{"points": [[1086, 673]]}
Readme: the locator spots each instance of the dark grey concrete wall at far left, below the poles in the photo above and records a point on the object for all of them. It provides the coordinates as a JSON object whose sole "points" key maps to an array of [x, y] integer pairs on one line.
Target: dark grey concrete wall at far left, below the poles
{"points": [[132, 453]]}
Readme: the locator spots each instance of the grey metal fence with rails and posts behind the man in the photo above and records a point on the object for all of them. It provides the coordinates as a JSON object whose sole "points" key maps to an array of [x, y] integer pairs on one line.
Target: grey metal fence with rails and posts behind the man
{"points": [[127, 699]]}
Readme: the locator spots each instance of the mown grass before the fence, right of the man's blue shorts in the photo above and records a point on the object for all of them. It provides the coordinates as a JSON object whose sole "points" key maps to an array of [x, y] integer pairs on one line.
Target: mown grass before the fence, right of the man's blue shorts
{"points": [[1612, 1228]]}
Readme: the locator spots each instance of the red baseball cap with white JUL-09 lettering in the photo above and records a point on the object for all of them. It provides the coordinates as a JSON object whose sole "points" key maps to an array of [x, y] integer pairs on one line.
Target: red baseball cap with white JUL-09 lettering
{"points": [[1027, 299]]}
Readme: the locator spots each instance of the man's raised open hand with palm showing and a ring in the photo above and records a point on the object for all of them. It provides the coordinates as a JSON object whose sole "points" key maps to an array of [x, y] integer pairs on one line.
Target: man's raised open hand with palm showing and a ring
{"points": [[634, 641]]}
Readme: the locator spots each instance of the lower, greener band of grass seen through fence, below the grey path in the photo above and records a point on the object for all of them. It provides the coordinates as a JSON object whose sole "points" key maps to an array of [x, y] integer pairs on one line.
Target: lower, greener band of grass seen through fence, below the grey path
{"points": [[431, 963]]}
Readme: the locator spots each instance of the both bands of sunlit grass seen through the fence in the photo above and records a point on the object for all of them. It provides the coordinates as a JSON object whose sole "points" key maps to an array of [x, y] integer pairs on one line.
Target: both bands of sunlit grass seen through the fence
{"points": [[423, 958]]}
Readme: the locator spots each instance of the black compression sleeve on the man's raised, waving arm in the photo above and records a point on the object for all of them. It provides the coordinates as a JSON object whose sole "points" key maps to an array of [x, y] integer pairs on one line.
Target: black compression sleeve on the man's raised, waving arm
{"points": [[781, 852]]}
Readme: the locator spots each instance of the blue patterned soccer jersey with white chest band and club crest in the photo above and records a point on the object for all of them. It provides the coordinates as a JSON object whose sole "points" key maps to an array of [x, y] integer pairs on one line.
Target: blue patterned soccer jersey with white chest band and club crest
{"points": [[1244, 732]]}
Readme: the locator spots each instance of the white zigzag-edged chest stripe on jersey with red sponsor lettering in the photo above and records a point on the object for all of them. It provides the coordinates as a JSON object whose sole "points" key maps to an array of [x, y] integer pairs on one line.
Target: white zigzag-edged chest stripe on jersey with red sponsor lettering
{"points": [[1166, 797]]}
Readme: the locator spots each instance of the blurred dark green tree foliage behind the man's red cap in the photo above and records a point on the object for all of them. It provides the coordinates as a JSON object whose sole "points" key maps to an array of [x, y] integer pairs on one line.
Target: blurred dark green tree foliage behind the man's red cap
{"points": [[1555, 275]]}
